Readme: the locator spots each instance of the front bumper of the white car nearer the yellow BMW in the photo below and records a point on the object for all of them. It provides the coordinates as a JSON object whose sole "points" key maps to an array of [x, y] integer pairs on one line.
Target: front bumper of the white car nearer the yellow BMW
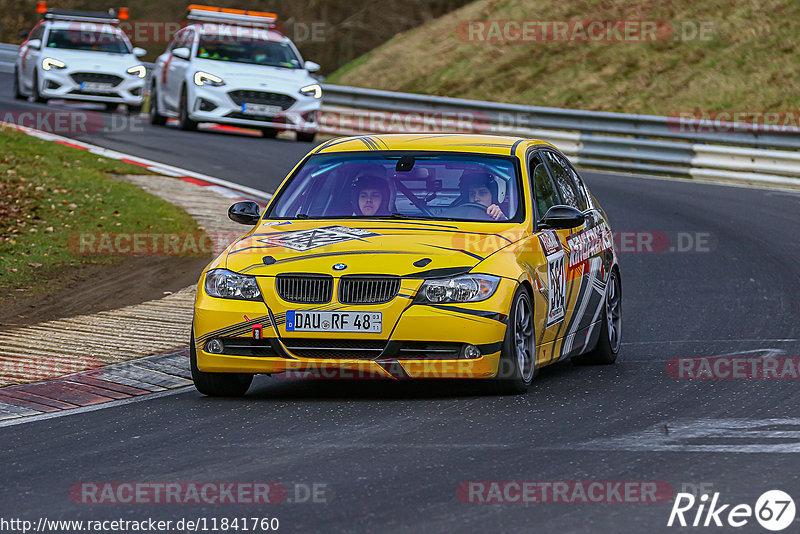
{"points": [[302, 115]]}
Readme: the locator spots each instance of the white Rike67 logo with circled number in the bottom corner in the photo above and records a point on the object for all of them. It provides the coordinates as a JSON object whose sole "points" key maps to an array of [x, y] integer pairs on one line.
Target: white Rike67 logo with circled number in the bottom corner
{"points": [[774, 510]]}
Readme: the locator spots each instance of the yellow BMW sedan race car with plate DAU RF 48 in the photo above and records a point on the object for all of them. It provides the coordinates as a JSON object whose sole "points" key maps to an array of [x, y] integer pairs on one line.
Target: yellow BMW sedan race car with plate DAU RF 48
{"points": [[413, 256]]}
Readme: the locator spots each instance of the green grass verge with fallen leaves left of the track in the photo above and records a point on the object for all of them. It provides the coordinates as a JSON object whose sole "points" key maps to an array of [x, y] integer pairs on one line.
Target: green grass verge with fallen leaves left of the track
{"points": [[48, 192]]}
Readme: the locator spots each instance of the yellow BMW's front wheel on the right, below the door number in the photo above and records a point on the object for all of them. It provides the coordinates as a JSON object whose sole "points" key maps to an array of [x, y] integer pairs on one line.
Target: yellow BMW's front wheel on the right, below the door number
{"points": [[517, 365]]}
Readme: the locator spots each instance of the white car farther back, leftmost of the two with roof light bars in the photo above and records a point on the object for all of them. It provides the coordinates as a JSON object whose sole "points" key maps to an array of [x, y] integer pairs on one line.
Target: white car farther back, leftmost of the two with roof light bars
{"points": [[80, 56]]}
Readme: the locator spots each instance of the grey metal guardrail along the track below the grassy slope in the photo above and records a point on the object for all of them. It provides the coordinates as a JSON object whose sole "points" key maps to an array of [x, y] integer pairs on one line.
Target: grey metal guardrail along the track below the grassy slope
{"points": [[613, 141]]}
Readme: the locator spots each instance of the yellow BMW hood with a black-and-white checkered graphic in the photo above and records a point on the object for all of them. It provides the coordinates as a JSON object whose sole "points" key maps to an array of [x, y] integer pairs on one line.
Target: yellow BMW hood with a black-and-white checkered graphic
{"points": [[369, 246]]}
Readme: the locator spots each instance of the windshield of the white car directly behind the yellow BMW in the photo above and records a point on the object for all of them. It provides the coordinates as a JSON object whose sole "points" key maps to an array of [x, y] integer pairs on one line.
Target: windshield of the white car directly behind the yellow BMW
{"points": [[250, 50]]}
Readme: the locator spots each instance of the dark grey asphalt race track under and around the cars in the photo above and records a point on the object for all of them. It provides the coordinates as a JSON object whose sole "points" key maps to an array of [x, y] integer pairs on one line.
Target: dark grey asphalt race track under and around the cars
{"points": [[390, 457]]}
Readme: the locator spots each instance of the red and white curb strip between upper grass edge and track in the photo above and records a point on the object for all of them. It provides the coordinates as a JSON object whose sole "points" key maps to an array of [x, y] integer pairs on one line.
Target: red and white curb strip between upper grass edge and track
{"points": [[223, 187]]}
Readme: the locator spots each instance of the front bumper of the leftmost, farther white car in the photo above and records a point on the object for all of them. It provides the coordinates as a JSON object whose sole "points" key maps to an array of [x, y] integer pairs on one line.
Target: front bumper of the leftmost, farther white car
{"points": [[59, 83]]}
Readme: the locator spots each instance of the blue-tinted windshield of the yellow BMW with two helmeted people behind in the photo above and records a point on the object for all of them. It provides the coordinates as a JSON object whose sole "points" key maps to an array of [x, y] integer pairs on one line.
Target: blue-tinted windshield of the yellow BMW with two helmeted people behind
{"points": [[439, 186]]}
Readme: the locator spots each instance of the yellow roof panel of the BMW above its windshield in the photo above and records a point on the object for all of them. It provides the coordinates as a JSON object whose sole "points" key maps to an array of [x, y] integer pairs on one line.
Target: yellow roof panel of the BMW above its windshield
{"points": [[474, 143]]}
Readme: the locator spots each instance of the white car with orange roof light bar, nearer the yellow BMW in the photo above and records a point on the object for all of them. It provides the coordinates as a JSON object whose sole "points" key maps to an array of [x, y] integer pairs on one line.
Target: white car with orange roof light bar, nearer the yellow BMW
{"points": [[229, 68]]}
